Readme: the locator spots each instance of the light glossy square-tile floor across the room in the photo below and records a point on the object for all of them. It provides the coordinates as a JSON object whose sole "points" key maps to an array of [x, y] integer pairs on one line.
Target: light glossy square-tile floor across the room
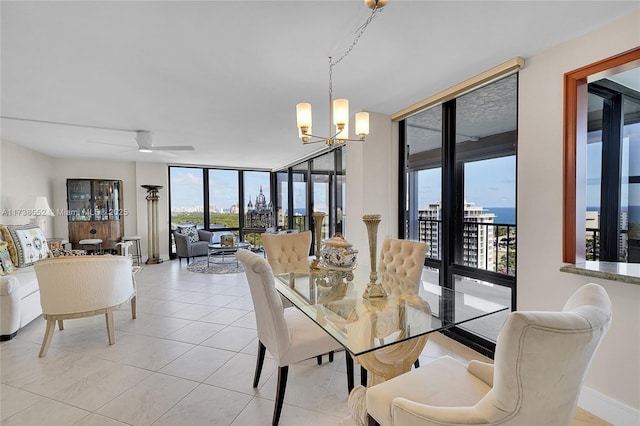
{"points": [[188, 359]]}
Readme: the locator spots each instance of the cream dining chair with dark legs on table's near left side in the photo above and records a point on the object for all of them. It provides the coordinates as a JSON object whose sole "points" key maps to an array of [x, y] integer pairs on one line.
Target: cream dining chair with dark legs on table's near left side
{"points": [[289, 336]]}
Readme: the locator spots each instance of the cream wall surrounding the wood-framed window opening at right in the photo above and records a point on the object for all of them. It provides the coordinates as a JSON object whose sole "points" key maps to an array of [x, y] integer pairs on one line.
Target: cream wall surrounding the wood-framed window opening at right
{"points": [[615, 371]]}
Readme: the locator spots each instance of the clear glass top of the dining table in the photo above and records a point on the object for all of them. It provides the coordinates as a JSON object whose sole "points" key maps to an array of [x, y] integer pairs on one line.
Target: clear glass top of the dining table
{"points": [[333, 299]]}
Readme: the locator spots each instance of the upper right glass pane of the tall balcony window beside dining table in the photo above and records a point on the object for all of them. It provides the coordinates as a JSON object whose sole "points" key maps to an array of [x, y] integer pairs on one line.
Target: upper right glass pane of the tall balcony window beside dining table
{"points": [[485, 148]]}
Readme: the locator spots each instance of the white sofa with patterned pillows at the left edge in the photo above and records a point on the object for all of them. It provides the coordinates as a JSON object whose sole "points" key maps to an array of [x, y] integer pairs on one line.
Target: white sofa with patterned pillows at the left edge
{"points": [[19, 291]]}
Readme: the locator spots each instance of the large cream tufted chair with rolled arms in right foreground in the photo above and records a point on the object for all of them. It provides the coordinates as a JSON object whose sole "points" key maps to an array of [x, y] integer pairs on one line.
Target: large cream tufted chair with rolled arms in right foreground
{"points": [[541, 359]]}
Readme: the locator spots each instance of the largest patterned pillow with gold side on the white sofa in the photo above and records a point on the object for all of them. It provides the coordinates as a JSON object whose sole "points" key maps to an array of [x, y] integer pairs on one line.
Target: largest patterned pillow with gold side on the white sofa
{"points": [[27, 244]]}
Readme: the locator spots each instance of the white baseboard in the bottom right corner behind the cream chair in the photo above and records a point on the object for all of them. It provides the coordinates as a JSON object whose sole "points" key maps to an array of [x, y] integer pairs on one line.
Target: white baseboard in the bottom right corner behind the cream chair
{"points": [[608, 408]]}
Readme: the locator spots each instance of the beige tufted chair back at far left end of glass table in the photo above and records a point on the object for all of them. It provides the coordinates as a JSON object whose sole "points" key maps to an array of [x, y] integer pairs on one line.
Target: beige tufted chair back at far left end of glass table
{"points": [[288, 252]]}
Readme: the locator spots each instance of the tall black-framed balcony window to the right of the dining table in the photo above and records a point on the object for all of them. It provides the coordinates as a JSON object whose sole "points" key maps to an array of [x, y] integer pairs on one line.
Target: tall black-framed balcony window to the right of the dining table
{"points": [[460, 180]]}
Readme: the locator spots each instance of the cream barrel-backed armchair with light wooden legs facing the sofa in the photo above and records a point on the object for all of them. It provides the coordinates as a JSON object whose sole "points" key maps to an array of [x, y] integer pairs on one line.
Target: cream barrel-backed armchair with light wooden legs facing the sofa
{"points": [[82, 286]]}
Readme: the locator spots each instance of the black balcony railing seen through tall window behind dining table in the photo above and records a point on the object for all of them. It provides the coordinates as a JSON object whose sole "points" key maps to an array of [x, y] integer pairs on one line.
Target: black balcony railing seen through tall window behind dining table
{"points": [[487, 246]]}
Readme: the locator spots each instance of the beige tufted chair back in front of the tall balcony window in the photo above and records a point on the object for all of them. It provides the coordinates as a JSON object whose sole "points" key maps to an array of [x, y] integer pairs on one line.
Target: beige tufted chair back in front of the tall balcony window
{"points": [[403, 258]]}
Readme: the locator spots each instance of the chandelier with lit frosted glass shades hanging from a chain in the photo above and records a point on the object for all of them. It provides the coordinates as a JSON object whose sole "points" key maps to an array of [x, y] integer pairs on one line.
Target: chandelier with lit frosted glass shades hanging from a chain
{"points": [[338, 108]]}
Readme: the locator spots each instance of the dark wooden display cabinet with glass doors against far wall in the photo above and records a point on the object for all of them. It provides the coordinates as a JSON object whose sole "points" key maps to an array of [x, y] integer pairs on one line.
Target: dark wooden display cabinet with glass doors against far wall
{"points": [[95, 211]]}
